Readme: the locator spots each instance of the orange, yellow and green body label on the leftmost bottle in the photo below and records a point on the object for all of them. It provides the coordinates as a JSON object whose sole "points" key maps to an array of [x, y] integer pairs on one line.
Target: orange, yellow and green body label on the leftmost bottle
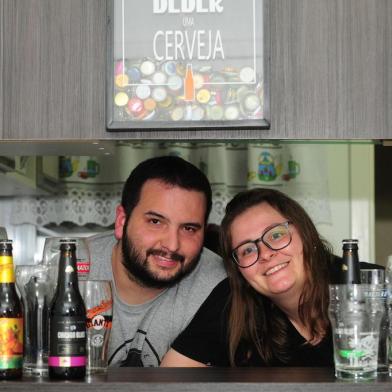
{"points": [[11, 343]]}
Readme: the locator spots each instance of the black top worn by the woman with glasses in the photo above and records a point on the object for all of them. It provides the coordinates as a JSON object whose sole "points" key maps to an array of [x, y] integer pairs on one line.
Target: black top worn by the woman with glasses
{"points": [[205, 339]]}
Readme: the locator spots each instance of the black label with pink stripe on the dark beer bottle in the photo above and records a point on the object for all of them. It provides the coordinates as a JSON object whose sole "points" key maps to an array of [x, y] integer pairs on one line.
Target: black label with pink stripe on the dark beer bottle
{"points": [[67, 345]]}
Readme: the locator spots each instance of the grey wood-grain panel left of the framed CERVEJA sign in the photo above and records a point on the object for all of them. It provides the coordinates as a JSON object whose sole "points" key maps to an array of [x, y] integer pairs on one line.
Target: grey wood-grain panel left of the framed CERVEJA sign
{"points": [[54, 67]]}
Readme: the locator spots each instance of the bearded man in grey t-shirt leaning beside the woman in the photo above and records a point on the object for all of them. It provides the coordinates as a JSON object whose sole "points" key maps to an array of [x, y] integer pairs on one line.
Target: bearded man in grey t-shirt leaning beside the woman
{"points": [[159, 270]]}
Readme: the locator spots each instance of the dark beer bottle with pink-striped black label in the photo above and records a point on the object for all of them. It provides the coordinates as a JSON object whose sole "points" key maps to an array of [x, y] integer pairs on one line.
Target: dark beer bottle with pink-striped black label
{"points": [[67, 320]]}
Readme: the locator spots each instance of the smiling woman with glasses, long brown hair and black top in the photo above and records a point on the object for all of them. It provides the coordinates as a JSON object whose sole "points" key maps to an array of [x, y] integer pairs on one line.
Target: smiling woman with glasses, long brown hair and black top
{"points": [[272, 309]]}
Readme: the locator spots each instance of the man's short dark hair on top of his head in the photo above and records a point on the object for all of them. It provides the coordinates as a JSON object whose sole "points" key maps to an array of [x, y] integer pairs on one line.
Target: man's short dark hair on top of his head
{"points": [[171, 170]]}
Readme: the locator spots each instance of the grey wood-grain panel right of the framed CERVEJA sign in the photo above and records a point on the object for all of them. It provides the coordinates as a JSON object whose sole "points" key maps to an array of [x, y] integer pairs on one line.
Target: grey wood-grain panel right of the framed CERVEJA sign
{"points": [[330, 68]]}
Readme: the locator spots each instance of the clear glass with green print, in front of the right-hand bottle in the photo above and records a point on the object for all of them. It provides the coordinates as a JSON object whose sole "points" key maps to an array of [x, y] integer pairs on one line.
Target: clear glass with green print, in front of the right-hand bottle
{"points": [[355, 312]]}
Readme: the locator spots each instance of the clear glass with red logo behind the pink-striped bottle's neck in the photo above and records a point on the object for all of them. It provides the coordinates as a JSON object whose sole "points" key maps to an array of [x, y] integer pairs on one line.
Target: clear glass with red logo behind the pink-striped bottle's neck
{"points": [[51, 254]]}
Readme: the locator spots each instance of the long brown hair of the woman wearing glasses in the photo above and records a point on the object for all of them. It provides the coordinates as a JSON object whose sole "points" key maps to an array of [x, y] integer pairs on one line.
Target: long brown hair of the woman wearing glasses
{"points": [[250, 315]]}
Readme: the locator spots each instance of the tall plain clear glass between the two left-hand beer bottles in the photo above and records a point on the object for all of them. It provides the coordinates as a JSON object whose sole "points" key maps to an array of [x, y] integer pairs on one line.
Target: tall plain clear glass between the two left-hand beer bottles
{"points": [[36, 284]]}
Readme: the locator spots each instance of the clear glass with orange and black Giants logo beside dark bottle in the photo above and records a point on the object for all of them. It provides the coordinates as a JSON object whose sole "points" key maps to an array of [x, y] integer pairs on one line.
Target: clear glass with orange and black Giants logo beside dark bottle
{"points": [[97, 296]]}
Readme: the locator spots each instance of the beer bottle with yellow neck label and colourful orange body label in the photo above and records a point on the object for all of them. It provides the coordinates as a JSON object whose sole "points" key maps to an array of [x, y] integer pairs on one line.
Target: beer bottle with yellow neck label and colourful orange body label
{"points": [[11, 317]]}
